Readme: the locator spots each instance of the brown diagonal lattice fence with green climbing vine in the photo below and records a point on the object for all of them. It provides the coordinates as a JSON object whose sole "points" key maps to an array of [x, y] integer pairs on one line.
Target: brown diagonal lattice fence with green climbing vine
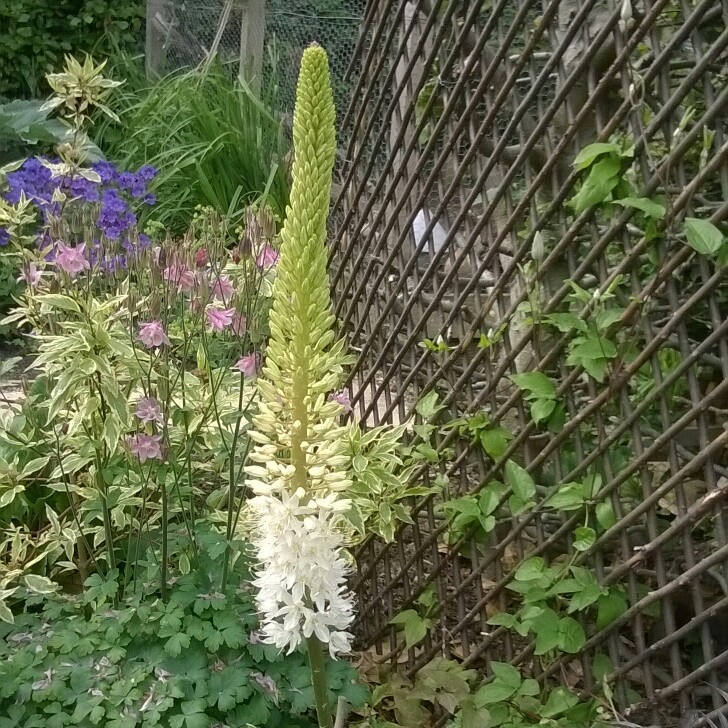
{"points": [[479, 237]]}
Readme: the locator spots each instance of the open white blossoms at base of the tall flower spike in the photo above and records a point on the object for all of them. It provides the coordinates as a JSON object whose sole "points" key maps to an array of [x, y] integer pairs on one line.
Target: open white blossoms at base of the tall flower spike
{"points": [[302, 578]]}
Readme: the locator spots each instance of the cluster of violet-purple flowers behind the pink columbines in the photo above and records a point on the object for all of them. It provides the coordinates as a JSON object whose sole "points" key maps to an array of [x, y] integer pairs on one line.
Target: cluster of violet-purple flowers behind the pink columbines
{"points": [[113, 202]]}
